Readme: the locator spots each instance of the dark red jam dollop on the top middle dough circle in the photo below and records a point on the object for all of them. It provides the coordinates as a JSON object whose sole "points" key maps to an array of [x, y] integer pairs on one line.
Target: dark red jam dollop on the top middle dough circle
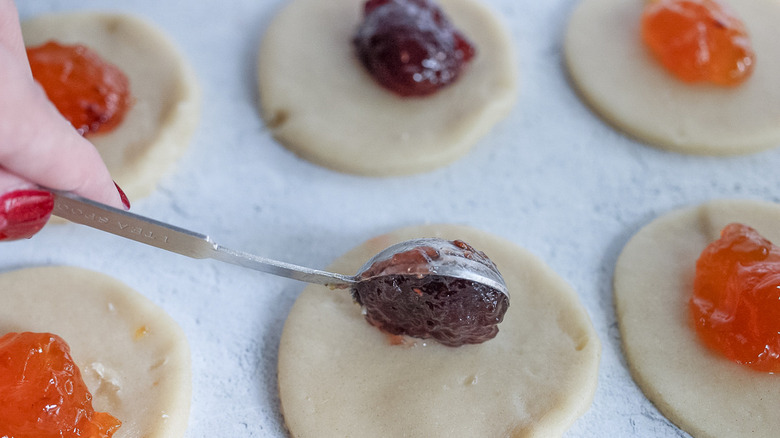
{"points": [[410, 47]]}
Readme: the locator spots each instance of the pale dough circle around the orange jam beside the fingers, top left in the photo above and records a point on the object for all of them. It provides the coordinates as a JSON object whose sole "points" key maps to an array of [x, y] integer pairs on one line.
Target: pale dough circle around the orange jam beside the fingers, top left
{"points": [[158, 128]]}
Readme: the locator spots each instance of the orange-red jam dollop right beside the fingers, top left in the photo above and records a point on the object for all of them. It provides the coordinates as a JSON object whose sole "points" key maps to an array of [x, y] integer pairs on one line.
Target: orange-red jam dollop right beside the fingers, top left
{"points": [[92, 94]]}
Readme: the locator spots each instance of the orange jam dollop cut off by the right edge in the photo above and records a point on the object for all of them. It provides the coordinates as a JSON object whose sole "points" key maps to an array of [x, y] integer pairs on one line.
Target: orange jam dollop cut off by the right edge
{"points": [[736, 298]]}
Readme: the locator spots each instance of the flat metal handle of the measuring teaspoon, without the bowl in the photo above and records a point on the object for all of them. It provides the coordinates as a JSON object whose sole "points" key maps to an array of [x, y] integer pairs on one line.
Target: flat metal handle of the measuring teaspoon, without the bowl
{"points": [[171, 238]]}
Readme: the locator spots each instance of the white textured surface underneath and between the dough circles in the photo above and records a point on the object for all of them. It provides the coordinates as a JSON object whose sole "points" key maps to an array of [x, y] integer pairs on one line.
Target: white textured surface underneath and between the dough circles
{"points": [[552, 178]]}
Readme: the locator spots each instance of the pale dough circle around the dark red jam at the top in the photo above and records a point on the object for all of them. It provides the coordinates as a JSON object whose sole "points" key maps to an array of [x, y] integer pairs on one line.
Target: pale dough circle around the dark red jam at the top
{"points": [[321, 103]]}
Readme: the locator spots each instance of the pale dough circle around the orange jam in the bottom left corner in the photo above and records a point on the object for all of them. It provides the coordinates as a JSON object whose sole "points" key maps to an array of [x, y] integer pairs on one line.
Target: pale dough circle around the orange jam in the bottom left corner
{"points": [[133, 357]]}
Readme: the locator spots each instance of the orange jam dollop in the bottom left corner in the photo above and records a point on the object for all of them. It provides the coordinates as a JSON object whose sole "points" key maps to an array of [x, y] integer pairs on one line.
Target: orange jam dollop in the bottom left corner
{"points": [[42, 394]]}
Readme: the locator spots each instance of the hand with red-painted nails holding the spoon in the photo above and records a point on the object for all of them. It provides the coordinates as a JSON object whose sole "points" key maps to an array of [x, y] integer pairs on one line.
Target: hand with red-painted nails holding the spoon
{"points": [[38, 147]]}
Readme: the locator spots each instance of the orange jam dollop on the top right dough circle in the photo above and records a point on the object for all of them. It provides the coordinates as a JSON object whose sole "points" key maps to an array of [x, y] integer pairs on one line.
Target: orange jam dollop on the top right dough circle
{"points": [[698, 41]]}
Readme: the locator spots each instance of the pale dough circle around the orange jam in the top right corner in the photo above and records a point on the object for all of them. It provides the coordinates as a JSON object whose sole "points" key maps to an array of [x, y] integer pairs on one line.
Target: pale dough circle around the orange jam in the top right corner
{"points": [[617, 76]]}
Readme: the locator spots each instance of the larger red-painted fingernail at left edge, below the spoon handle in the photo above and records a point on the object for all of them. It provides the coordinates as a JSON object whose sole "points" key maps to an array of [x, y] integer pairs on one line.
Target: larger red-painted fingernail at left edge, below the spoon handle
{"points": [[23, 213]]}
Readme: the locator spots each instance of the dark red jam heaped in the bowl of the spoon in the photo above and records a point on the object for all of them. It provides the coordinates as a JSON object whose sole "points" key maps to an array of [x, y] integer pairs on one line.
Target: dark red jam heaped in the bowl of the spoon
{"points": [[402, 296]]}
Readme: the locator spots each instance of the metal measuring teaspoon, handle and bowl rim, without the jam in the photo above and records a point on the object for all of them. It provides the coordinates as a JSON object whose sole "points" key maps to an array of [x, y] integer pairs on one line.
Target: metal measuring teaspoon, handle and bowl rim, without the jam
{"points": [[168, 237]]}
